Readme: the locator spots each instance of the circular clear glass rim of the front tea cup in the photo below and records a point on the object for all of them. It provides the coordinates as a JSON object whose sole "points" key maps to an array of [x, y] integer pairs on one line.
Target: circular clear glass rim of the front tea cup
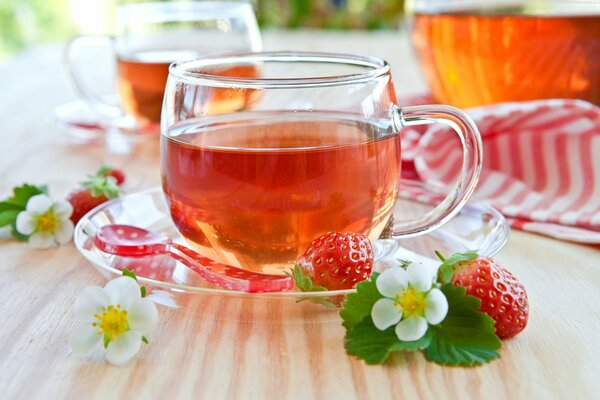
{"points": [[180, 69]]}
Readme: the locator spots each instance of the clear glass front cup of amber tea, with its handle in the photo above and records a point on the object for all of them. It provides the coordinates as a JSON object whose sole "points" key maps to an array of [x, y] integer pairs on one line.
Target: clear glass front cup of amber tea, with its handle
{"points": [[315, 150]]}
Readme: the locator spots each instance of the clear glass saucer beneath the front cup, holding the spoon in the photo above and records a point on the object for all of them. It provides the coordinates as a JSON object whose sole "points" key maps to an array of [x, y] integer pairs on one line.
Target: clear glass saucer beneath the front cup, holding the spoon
{"points": [[477, 227]]}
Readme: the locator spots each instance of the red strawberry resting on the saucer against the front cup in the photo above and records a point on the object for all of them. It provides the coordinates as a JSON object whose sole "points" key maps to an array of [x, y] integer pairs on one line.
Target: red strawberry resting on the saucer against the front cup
{"points": [[335, 261]]}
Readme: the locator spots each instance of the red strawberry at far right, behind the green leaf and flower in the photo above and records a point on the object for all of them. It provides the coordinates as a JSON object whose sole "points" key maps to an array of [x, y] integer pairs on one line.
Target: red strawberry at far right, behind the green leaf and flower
{"points": [[502, 296]]}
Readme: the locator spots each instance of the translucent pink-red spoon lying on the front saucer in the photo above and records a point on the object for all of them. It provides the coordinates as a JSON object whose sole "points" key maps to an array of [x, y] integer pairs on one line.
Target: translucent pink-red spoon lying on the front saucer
{"points": [[131, 241]]}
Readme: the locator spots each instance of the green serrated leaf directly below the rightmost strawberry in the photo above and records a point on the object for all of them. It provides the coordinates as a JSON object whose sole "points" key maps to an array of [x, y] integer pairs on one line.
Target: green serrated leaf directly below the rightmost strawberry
{"points": [[466, 336]]}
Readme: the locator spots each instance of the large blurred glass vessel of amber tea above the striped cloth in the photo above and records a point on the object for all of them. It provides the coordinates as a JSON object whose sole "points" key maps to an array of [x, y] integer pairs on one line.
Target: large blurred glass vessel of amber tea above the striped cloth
{"points": [[478, 52]]}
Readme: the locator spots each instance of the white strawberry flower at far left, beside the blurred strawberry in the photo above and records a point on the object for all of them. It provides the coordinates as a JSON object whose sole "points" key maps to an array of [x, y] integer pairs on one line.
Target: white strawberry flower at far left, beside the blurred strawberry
{"points": [[45, 221]]}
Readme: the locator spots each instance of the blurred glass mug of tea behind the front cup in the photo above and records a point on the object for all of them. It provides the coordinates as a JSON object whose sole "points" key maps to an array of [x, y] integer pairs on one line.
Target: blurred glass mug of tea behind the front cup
{"points": [[149, 37]]}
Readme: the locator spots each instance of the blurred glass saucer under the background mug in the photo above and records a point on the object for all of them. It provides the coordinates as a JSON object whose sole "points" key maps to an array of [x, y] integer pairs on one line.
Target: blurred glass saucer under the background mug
{"points": [[80, 125]]}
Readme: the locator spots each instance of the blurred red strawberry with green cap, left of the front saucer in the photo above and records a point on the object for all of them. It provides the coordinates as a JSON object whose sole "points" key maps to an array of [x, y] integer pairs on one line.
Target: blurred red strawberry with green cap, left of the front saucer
{"points": [[96, 190]]}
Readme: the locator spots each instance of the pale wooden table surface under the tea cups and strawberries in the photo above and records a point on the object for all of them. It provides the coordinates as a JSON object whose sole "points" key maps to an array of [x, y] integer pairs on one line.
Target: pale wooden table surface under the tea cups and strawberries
{"points": [[194, 355]]}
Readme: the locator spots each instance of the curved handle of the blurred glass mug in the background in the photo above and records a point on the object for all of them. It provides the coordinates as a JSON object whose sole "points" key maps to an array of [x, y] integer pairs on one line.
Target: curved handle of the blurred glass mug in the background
{"points": [[74, 79]]}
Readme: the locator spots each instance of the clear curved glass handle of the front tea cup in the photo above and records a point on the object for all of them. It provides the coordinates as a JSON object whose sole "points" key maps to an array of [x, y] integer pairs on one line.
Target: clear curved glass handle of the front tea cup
{"points": [[470, 138]]}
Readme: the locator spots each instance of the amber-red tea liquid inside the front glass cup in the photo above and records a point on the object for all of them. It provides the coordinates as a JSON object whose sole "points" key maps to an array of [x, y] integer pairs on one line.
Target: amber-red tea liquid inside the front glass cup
{"points": [[255, 192]]}
